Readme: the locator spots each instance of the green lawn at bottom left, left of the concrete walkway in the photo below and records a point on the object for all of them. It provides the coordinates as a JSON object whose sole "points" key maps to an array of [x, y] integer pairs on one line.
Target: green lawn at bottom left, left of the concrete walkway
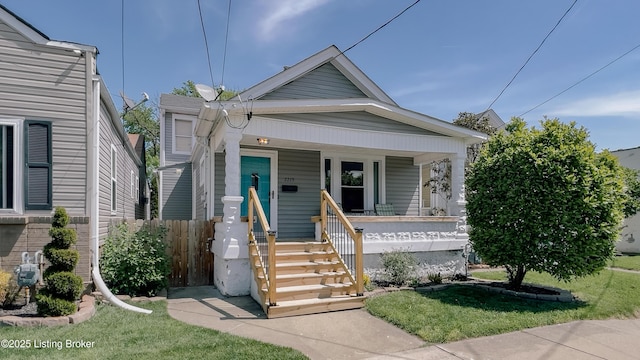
{"points": [[122, 334]]}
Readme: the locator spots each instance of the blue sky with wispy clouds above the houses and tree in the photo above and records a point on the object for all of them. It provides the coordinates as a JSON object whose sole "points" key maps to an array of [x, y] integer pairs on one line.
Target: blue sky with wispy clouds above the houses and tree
{"points": [[440, 58]]}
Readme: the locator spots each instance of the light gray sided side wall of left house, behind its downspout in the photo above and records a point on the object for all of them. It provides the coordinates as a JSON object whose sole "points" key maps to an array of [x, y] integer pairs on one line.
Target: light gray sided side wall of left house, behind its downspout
{"points": [[125, 203]]}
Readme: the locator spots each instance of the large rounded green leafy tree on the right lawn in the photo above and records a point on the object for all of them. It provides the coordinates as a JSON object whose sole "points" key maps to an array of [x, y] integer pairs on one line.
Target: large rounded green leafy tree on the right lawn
{"points": [[542, 199]]}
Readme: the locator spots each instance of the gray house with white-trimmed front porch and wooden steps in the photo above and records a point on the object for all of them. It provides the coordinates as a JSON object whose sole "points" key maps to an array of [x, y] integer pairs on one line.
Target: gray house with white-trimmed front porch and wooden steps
{"points": [[318, 127]]}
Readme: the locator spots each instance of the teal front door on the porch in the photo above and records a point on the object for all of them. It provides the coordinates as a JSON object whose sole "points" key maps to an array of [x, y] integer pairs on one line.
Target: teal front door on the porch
{"points": [[256, 171]]}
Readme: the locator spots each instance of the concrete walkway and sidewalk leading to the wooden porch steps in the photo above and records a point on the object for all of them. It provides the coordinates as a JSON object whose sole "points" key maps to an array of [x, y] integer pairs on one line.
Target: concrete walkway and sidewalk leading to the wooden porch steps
{"points": [[354, 334]]}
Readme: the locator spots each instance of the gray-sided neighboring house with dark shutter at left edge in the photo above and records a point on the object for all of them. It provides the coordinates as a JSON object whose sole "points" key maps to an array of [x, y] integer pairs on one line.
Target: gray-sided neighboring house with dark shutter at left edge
{"points": [[61, 144]]}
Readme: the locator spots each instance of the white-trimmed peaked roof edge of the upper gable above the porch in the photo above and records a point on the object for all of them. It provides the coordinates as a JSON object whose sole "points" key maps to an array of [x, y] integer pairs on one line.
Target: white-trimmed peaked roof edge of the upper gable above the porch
{"points": [[336, 61]]}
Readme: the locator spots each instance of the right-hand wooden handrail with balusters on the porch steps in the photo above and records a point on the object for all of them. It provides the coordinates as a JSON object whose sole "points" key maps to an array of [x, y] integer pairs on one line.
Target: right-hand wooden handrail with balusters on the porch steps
{"points": [[355, 234]]}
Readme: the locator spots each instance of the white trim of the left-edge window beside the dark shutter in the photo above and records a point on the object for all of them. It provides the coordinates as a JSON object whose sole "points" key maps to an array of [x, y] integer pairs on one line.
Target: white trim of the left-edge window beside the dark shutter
{"points": [[18, 135]]}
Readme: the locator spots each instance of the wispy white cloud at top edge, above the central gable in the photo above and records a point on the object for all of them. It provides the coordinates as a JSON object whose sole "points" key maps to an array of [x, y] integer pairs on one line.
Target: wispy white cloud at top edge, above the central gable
{"points": [[283, 12]]}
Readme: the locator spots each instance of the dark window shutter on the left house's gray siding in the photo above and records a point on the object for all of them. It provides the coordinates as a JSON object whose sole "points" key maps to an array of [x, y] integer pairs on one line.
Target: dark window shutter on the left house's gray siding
{"points": [[38, 165]]}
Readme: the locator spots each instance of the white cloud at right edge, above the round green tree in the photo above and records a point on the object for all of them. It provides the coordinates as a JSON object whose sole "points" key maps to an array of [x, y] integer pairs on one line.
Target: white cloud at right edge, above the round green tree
{"points": [[624, 104]]}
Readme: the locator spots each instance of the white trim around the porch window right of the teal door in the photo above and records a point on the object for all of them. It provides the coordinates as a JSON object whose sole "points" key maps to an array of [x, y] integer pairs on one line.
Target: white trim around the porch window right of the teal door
{"points": [[367, 160]]}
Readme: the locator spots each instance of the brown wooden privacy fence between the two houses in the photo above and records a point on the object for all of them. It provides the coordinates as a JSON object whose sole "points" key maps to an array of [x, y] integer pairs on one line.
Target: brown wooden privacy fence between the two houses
{"points": [[188, 247]]}
